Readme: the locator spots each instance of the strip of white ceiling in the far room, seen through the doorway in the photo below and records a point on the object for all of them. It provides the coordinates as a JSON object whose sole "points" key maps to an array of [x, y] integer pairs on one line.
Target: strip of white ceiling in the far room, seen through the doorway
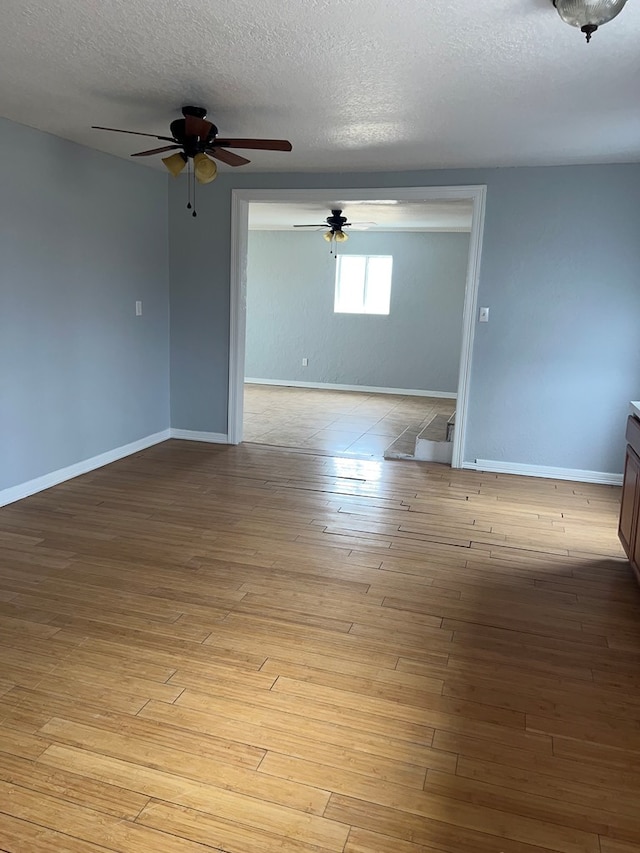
{"points": [[373, 215]]}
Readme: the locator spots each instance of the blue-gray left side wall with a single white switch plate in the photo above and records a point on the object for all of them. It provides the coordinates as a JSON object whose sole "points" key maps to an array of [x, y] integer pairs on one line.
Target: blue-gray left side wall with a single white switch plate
{"points": [[82, 236]]}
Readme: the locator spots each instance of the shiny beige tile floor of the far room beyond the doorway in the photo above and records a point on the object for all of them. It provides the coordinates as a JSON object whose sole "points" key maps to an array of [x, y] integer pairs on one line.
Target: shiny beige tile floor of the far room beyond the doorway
{"points": [[350, 422]]}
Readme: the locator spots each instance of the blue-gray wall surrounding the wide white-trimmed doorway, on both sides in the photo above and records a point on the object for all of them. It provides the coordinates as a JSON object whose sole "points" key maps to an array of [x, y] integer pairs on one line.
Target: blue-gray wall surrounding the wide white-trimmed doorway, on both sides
{"points": [[554, 369]]}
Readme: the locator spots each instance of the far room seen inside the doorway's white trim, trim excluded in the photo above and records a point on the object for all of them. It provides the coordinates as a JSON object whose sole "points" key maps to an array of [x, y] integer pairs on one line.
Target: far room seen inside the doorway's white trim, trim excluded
{"points": [[353, 344]]}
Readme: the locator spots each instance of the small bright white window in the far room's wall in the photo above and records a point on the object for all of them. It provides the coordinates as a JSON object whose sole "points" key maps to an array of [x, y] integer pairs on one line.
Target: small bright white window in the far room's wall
{"points": [[363, 284]]}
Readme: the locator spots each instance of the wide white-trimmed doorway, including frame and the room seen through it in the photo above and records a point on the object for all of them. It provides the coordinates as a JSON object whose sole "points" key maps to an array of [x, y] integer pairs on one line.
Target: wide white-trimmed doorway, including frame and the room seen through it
{"points": [[373, 379]]}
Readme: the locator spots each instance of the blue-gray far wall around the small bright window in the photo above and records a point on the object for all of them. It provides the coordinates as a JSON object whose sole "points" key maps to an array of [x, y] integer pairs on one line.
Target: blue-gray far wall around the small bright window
{"points": [[290, 313]]}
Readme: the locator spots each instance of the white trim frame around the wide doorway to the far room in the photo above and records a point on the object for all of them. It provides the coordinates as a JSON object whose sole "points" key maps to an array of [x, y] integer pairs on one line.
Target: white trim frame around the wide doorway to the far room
{"points": [[354, 200]]}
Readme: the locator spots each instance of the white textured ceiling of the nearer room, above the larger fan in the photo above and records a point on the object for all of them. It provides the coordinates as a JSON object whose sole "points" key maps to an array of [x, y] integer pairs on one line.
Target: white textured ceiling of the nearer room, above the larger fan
{"points": [[354, 84]]}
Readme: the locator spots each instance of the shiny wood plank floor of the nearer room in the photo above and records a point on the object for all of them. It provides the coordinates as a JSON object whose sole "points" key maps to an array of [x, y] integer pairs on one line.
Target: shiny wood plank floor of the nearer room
{"points": [[255, 650]]}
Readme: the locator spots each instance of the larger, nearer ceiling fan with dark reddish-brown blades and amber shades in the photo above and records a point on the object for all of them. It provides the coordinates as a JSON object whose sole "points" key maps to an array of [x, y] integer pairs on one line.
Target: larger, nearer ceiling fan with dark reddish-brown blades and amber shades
{"points": [[195, 139]]}
